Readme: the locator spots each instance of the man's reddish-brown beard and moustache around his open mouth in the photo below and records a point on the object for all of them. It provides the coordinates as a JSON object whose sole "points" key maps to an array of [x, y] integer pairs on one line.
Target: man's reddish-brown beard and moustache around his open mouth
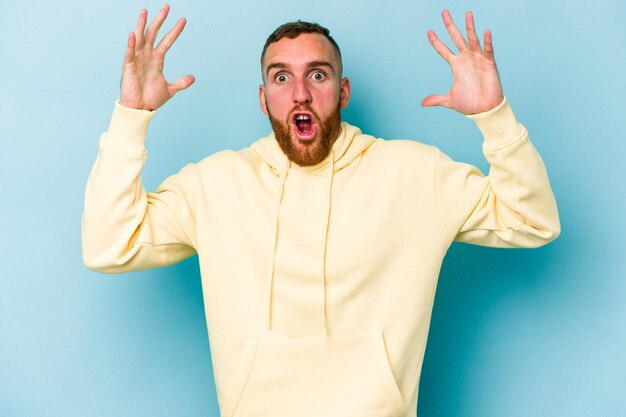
{"points": [[307, 152]]}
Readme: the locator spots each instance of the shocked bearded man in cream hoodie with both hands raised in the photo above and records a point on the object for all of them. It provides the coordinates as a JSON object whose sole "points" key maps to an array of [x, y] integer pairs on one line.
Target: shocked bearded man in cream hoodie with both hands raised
{"points": [[319, 246]]}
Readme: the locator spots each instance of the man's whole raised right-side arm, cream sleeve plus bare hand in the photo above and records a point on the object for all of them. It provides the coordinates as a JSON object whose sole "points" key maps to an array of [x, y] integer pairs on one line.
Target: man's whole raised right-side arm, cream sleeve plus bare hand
{"points": [[514, 205]]}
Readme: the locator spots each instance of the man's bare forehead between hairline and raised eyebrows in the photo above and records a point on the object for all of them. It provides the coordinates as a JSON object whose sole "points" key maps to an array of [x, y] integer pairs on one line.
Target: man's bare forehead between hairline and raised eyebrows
{"points": [[307, 47]]}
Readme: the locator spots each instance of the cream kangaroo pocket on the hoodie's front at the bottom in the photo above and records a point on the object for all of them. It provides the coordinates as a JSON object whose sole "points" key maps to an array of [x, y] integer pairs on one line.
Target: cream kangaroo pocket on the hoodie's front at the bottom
{"points": [[345, 376]]}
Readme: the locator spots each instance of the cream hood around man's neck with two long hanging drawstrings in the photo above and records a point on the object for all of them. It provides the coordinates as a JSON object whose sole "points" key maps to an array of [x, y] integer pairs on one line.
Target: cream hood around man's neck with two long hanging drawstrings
{"points": [[349, 145]]}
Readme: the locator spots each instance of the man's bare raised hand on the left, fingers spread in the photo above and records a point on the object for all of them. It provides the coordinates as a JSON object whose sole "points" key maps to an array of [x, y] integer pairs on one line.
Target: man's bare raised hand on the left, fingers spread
{"points": [[143, 84]]}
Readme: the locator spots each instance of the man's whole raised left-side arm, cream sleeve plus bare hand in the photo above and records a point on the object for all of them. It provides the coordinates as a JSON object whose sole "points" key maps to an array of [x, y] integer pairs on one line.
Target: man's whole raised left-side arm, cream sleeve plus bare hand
{"points": [[125, 228]]}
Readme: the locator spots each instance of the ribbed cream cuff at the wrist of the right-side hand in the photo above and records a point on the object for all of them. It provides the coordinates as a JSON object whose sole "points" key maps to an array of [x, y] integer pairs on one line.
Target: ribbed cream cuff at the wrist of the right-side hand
{"points": [[498, 126]]}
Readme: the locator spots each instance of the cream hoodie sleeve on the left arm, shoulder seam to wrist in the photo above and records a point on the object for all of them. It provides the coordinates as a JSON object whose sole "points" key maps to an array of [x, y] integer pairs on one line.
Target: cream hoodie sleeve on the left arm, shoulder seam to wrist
{"points": [[124, 228]]}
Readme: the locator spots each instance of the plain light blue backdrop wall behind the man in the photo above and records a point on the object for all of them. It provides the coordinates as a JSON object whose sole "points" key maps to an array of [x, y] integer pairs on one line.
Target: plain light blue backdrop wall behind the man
{"points": [[514, 332]]}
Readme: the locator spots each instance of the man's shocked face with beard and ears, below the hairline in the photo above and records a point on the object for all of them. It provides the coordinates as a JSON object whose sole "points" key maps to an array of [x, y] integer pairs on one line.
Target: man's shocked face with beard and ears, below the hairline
{"points": [[302, 94]]}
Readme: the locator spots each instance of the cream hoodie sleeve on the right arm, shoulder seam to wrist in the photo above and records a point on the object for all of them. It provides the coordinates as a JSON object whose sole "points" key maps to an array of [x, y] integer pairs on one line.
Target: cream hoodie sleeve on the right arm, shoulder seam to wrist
{"points": [[511, 207]]}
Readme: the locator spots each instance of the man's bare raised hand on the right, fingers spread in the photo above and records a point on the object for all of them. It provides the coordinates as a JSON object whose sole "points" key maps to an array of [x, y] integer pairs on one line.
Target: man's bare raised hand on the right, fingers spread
{"points": [[476, 84]]}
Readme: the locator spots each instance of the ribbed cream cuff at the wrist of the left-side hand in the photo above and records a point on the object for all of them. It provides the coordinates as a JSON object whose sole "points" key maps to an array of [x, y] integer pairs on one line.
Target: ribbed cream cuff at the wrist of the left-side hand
{"points": [[127, 130]]}
